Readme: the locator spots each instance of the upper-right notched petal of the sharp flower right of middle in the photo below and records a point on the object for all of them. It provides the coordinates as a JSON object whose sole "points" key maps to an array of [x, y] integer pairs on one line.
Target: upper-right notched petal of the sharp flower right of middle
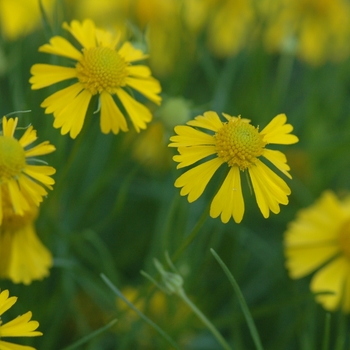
{"points": [[278, 132]]}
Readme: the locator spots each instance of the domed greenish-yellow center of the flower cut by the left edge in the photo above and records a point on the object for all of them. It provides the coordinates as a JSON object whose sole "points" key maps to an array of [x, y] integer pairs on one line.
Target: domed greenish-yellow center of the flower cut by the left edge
{"points": [[12, 158]]}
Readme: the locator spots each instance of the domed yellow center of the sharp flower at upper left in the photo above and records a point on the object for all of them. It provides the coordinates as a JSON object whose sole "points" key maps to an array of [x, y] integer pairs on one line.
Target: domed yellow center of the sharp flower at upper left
{"points": [[101, 69]]}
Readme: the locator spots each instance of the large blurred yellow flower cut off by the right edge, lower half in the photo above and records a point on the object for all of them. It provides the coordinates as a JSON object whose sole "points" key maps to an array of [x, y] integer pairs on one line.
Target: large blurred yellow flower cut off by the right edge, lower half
{"points": [[320, 238]]}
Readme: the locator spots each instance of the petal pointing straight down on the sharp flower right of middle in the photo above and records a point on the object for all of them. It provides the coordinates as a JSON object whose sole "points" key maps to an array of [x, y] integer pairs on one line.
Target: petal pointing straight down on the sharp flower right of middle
{"points": [[228, 202]]}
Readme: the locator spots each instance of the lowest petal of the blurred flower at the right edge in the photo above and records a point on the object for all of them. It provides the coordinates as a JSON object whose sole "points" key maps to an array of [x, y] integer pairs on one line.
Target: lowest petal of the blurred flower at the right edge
{"points": [[331, 278]]}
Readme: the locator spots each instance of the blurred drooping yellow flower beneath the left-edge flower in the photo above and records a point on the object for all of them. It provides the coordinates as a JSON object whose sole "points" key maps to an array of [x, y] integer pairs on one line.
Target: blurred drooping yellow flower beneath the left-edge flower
{"points": [[23, 258]]}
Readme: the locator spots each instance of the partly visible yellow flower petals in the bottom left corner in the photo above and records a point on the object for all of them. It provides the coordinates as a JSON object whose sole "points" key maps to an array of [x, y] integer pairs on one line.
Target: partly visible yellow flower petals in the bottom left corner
{"points": [[21, 326]]}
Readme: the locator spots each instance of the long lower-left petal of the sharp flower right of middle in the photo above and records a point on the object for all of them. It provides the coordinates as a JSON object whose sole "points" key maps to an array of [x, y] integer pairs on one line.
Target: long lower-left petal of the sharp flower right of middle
{"points": [[194, 181]]}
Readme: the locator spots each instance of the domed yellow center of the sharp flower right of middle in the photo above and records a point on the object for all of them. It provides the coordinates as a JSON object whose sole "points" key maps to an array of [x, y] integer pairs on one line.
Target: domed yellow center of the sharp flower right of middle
{"points": [[239, 143]]}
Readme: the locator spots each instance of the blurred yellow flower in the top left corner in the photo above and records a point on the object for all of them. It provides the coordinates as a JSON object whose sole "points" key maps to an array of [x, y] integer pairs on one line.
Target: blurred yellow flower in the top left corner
{"points": [[21, 17]]}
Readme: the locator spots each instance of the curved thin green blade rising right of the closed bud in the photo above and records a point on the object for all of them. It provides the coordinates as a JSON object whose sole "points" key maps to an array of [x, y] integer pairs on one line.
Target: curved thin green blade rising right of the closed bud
{"points": [[249, 319]]}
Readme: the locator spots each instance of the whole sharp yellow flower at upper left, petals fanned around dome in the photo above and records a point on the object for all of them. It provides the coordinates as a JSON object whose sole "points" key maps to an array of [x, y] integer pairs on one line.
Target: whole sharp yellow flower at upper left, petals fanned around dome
{"points": [[99, 69]]}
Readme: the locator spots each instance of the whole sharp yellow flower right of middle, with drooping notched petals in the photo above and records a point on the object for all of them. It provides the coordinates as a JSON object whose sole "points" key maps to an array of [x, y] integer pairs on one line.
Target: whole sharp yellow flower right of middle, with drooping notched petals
{"points": [[240, 146]]}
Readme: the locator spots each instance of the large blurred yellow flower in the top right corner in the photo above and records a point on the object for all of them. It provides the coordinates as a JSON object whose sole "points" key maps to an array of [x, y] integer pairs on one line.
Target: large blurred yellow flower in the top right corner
{"points": [[314, 30]]}
